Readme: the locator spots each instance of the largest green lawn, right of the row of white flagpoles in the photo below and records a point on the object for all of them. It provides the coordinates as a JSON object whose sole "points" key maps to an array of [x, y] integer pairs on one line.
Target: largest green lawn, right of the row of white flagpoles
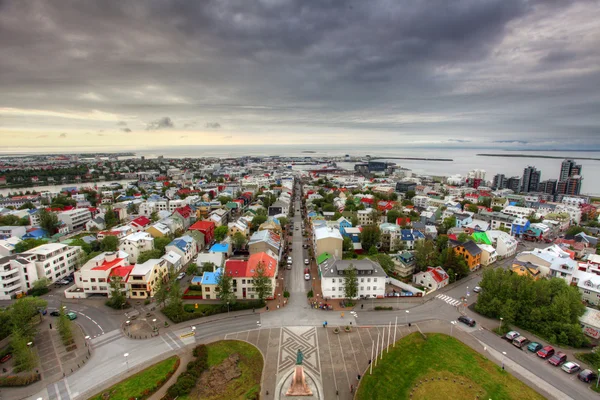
{"points": [[452, 369]]}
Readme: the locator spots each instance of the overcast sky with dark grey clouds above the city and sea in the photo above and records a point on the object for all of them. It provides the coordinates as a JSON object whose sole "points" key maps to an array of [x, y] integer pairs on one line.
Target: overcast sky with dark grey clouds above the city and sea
{"points": [[118, 74]]}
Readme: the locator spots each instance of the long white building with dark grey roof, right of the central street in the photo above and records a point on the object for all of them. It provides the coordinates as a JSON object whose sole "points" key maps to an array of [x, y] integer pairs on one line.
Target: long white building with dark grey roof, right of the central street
{"points": [[370, 276]]}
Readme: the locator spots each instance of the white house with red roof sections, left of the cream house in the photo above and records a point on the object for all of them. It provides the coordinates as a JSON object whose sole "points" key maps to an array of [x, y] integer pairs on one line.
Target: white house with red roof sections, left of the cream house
{"points": [[95, 275]]}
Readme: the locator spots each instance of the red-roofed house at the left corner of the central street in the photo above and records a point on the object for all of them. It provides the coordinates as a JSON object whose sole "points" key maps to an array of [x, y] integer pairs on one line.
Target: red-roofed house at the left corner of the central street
{"points": [[242, 273]]}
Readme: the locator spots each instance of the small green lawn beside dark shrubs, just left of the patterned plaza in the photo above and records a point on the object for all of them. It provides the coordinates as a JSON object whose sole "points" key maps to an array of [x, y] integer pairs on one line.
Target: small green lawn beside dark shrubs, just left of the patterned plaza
{"points": [[250, 365]]}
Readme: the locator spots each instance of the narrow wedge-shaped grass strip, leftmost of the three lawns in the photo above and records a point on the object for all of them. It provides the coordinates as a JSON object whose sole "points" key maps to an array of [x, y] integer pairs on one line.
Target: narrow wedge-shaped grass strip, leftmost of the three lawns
{"points": [[144, 381]]}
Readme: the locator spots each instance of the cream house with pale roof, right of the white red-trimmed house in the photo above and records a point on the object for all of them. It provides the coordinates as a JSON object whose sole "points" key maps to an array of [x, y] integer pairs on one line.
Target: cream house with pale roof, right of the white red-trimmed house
{"points": [[144, 278]]}
